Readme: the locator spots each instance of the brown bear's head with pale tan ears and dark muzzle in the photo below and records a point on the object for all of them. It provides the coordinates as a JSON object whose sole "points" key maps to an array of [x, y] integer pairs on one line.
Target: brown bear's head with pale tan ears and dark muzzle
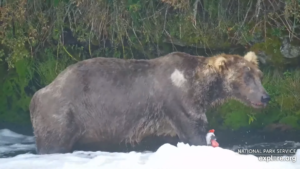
{"points": [[240, 78]]}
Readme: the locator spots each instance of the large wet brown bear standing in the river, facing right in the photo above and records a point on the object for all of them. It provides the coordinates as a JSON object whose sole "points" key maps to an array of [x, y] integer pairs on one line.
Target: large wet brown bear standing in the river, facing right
{"points": [[109, 100]]}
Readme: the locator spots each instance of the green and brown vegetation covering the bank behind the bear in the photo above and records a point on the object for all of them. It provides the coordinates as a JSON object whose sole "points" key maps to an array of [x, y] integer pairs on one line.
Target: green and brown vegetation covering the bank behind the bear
{"points": [[40, 38]]}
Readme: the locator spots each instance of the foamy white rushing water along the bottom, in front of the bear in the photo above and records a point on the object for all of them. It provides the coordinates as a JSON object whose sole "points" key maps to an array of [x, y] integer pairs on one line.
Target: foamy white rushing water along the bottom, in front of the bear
{"points": [[167, 156]]}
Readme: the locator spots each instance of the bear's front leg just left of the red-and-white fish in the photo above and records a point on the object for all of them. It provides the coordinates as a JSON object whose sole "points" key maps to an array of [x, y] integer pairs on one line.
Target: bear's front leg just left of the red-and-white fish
{"points": [[191, 126]]}
